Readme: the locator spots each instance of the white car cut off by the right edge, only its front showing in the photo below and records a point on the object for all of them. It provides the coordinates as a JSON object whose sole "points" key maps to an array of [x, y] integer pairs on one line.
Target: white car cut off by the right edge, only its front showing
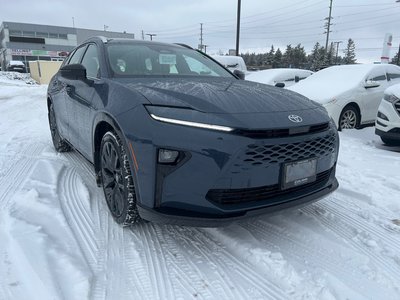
{"points": [[387, 124]]}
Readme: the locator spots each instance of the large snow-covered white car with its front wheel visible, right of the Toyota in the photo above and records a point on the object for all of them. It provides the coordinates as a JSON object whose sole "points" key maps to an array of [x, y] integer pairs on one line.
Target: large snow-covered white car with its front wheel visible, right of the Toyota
{"points": [[350, 93]]}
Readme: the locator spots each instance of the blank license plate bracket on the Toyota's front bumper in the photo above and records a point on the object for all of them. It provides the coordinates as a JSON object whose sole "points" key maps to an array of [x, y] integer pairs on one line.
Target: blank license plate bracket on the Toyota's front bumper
{"points": [[298, 173]]}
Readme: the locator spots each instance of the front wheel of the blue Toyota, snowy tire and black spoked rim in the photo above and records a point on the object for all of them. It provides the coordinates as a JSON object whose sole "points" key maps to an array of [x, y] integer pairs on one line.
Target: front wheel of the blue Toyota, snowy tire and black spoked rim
{"points": [[117, 180]]}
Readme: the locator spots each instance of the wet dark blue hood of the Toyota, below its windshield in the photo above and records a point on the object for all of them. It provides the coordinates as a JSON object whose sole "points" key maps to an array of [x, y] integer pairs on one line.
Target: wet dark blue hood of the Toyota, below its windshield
{"points": [[219, 95]]}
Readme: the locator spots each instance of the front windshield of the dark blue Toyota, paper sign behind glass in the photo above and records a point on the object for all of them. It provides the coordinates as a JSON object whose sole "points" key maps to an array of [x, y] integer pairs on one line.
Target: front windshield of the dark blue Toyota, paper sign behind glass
{"points": [[131, 60]]}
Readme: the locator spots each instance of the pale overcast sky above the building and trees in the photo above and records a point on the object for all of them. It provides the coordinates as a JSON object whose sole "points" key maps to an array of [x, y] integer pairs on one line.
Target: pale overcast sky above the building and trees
{"points": [[263, 23]]}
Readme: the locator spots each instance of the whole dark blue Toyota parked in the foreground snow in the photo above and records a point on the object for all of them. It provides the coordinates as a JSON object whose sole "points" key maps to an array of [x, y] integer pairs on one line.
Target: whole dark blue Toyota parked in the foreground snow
{"points": [[176, 138]]}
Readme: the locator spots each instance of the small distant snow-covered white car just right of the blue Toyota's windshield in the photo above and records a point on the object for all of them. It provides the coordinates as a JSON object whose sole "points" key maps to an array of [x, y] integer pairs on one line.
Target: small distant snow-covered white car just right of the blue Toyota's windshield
{"points": [[281, 77]]}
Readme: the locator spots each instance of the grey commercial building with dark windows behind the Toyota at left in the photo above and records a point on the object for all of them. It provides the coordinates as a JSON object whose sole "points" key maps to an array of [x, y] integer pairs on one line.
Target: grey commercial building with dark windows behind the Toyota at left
{"points": [[29, 42]]}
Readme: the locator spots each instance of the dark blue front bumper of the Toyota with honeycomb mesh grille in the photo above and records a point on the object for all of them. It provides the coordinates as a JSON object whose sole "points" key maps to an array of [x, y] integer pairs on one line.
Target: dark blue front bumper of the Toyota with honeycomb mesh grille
{"points": [[221, 161]]}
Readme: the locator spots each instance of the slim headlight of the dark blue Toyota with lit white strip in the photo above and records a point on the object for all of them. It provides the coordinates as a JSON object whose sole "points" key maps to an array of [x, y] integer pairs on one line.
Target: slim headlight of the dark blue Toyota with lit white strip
{"points": [[185, 117]]}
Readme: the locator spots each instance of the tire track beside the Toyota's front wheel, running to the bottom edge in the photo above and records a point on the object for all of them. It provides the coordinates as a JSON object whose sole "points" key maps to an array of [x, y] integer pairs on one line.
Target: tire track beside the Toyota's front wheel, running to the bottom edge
{"points": [[117, 261]]}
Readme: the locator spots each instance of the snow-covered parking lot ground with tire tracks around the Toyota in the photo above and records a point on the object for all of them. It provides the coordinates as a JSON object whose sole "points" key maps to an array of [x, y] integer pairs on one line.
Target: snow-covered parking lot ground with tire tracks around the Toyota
{"points": [[58, 241]]}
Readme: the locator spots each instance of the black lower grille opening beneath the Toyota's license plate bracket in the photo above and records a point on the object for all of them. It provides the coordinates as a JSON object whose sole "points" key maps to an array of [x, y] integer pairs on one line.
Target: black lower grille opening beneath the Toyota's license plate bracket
{"points": [[234, 196]]}
